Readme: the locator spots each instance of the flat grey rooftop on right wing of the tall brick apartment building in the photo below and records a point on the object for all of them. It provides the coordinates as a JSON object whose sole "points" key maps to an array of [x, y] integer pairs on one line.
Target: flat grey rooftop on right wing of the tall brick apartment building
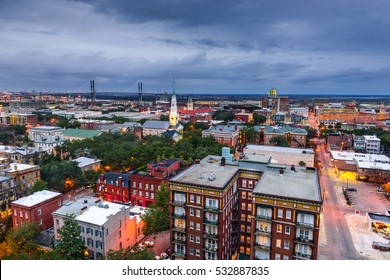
{"points": [[301, 185]]}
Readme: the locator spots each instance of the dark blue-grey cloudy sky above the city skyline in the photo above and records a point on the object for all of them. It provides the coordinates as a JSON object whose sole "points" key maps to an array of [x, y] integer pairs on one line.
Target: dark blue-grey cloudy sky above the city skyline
{"points": [[209, 46]]}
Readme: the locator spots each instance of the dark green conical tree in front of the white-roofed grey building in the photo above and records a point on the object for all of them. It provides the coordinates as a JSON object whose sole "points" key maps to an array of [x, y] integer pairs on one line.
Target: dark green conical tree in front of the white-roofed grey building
{"points": [[71, 247]]}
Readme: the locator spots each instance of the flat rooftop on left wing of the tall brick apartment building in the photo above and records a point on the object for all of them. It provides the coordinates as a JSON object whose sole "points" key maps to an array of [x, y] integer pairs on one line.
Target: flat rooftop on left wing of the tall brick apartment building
{"points": [[207, 173]]}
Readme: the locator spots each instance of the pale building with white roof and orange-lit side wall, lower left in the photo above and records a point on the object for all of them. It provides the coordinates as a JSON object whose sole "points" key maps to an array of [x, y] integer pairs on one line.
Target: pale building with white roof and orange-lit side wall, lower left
{"points": [[103, 225]]}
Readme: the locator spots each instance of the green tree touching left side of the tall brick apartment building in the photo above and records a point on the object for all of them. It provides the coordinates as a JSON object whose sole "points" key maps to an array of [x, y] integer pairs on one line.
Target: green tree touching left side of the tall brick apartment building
{"points": [[156, 219]]}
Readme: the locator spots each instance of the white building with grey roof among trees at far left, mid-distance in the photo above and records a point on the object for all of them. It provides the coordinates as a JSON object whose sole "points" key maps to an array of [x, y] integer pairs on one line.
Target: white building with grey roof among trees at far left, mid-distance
{"points": [[46, 137]]}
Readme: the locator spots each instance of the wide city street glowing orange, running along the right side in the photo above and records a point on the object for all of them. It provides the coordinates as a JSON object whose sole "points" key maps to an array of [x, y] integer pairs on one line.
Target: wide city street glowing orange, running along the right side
{"points": [[343, 234]]}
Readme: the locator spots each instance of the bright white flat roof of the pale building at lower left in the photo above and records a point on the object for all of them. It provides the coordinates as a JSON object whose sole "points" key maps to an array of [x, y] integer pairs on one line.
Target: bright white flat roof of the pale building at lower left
{"points": [[98, 215]]}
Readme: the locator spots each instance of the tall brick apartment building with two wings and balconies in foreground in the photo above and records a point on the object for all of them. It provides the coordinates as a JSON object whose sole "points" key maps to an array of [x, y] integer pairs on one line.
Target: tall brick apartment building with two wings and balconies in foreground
{"points": [[214, 208]]}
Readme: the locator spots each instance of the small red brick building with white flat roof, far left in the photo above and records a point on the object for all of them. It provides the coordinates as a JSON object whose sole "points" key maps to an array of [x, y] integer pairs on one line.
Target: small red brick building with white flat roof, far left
{"points": [[36, 208]]}
